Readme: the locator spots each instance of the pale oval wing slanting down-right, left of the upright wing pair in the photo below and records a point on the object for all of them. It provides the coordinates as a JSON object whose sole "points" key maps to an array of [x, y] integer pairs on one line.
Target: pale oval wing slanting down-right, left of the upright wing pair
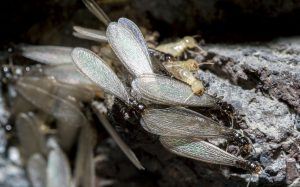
{"points": [[96, 69]]}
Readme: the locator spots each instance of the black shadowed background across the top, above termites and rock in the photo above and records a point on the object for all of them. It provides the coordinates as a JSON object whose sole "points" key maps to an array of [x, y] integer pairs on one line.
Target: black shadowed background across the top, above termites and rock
{"points": [[50, 21]]}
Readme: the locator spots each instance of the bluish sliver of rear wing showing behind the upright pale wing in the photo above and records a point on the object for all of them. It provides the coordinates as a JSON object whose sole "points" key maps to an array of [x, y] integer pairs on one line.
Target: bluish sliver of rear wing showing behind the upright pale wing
{"points": [[137, 33]]}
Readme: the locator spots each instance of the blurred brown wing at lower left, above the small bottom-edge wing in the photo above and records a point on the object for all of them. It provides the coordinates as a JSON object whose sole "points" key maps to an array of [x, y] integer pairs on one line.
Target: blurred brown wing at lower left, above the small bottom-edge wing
{"points": [[30, 135]]}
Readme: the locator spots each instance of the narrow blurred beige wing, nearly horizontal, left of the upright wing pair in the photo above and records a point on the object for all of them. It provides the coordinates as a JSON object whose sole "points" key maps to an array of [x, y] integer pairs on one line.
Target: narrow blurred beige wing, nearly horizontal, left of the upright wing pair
{"points": [[89, 34]]}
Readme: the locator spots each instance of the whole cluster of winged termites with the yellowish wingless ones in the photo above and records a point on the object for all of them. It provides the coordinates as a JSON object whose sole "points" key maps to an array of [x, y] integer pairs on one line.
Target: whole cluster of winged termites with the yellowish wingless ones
{"points": [[72, 76]]}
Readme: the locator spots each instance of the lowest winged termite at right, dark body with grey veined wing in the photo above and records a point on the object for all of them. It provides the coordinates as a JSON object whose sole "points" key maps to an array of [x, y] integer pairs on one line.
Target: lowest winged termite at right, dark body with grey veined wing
{"points": [[206, 152]]}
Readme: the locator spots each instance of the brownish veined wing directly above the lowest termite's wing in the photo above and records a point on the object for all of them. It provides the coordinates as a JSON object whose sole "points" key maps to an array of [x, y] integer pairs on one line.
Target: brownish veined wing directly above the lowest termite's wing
{"points": [[181, 122]]}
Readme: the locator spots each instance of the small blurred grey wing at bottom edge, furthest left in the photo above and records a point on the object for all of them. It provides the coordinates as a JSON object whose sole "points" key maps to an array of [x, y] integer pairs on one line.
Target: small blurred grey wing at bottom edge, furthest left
{"points": [[36, 169]]}
